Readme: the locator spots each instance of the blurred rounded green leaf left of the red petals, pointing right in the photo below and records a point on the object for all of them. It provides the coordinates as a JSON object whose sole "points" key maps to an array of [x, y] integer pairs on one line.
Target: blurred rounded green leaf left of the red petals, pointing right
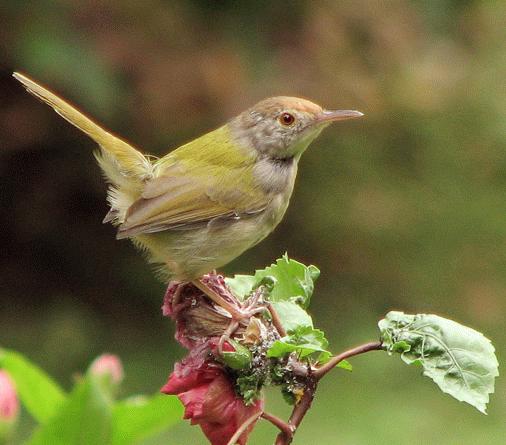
{"points": [[138, 418]]}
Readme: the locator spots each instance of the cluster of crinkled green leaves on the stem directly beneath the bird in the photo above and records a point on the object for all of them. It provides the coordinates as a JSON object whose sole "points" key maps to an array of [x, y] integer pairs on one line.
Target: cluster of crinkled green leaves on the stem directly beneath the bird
{"points": [[288, 286]]}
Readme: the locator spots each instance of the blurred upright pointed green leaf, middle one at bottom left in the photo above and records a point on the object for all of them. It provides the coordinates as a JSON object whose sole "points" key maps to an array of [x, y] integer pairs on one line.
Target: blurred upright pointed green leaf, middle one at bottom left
{"points": [[84, 419]]}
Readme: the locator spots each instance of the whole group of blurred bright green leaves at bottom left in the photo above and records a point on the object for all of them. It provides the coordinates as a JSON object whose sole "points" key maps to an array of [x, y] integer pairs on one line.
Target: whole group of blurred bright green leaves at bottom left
{"points": [[89, 413]]}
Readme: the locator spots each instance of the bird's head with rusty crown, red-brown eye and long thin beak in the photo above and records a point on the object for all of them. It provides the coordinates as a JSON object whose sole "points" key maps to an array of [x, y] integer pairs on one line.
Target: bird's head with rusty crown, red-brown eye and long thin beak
{"points": [[282, 127]]}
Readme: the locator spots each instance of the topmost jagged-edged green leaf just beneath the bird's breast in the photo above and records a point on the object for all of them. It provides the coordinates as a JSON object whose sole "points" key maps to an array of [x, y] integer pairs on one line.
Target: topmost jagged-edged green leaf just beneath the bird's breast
{"points": [[292, 281]]}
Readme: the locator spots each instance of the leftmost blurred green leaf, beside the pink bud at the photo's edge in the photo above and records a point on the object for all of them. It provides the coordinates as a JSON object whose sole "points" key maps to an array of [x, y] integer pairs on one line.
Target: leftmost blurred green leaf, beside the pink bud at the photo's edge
{"points": [[40, 395]]}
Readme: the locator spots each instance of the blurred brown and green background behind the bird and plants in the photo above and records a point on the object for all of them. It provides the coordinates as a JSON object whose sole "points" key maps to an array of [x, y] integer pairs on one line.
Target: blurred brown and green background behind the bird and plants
{"points": [[404, 209]]}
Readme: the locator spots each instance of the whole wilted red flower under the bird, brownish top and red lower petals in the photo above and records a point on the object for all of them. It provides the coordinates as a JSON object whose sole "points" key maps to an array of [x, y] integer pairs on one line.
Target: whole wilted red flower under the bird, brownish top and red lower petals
{"points": [[201, 380]]}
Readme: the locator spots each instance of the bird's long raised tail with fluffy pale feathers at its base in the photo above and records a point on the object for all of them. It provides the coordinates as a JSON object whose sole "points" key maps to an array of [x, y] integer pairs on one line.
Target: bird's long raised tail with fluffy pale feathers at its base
{"points": [[125, 167]]}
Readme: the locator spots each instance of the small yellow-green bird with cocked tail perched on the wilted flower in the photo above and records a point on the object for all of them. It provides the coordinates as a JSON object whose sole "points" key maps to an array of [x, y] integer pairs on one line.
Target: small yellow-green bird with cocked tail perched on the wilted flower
{"points": [[206, 202]]}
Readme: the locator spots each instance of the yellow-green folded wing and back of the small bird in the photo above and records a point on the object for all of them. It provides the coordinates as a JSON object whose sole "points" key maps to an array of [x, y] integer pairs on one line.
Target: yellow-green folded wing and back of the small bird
{"points": [[197, 183]]}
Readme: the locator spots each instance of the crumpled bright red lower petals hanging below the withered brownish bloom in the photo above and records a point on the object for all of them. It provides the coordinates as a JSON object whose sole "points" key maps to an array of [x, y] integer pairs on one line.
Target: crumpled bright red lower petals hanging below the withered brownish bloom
{"points": [[209, 398]]}
